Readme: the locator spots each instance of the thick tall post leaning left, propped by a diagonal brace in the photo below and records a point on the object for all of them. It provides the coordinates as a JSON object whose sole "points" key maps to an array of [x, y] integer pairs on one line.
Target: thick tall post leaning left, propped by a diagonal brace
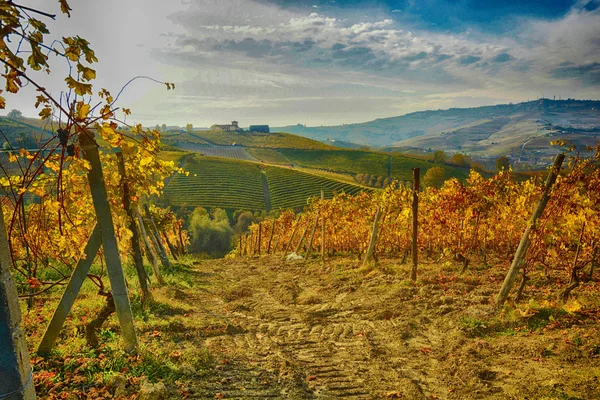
{"points": [[109, 241]]}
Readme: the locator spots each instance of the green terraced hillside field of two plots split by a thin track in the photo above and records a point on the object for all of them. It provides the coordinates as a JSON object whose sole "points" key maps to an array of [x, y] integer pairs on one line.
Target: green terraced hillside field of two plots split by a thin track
{"points": [[234, 184]]}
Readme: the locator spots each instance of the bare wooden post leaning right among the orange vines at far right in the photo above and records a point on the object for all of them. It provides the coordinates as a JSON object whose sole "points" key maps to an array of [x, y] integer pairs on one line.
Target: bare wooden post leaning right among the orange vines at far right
{"points": [[524, 244]]}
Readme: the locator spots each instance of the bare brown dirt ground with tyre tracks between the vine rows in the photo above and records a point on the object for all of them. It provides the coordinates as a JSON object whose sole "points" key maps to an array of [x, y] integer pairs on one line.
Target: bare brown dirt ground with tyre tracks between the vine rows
{"points": [[302, 331]]}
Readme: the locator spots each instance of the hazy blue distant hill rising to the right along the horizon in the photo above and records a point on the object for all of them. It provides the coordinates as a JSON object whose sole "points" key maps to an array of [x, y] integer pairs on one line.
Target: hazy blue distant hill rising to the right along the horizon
{"points": [[522, 129]]}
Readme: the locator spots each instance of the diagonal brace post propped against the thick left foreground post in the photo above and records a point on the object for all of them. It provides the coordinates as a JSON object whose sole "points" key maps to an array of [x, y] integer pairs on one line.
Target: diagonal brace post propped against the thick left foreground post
{"points": [[68, 298]]}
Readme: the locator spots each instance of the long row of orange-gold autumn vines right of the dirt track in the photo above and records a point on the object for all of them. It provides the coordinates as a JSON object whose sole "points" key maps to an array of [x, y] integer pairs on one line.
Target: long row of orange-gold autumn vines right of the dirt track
{"points": [[473, 223]]}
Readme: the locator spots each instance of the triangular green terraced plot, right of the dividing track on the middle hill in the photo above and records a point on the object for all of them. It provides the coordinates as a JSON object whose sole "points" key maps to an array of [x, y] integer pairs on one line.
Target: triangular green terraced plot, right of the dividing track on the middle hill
{"points": [[290, 189]]}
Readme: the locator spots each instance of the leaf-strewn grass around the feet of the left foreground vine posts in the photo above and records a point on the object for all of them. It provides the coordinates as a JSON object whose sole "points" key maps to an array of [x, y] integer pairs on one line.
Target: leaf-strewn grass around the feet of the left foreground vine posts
{"points": [[76, 369]]}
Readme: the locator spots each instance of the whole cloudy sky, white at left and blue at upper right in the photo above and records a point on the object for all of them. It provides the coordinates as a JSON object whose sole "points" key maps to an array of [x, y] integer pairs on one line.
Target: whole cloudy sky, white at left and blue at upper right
{"points": [[328, 62]]}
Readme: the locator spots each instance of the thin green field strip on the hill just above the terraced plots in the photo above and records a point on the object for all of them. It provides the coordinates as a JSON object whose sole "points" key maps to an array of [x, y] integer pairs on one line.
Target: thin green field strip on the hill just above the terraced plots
{"points": [[364, 162]]}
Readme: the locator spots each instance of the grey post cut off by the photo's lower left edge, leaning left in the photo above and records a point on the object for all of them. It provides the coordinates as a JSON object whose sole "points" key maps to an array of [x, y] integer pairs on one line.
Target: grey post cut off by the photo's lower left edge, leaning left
{"points": [[16, 376]]}
